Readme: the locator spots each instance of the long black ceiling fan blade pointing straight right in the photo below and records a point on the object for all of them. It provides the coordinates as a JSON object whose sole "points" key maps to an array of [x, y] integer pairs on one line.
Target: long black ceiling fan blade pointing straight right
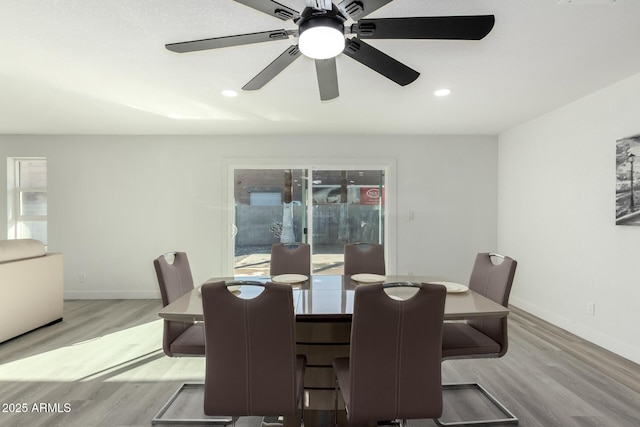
{"points": [[473, 27]]}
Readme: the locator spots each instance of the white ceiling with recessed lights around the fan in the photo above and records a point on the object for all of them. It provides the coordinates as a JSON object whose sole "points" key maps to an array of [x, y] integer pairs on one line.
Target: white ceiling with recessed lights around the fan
{"points": [[100, 67]]}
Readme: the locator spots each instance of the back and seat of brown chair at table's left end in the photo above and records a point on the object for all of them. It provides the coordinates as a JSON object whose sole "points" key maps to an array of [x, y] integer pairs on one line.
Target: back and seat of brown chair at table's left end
{"points": [[175, 280]]}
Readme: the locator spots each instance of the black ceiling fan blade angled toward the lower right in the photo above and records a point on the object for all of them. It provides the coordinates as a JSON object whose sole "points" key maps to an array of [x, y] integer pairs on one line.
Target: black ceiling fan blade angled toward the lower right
{"points": [[380, 62]]}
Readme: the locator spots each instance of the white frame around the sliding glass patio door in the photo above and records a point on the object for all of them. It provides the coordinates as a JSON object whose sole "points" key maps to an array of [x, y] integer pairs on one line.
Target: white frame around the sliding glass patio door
{"points": [[233, 163]]}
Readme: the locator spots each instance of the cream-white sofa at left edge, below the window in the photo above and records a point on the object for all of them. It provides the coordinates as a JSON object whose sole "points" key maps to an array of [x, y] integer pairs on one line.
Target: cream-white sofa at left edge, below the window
{"points": [[31, 287]]}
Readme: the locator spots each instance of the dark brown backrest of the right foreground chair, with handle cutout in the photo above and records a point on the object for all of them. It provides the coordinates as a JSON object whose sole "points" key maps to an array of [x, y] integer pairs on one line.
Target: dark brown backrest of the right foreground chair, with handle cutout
{"points": [[395, 355]]}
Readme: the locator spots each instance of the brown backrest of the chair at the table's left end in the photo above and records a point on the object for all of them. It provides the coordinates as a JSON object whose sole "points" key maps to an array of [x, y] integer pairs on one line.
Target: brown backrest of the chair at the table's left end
{"points": [[175, 280]]}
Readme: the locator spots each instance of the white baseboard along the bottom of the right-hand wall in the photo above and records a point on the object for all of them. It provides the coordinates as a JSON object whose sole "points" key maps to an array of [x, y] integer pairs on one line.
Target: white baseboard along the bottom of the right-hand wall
{"points": [[603, 340]]}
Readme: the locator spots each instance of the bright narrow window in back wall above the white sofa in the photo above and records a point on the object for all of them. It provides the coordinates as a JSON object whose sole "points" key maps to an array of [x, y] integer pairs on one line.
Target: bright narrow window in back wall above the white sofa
{"points": [[27, 183]]}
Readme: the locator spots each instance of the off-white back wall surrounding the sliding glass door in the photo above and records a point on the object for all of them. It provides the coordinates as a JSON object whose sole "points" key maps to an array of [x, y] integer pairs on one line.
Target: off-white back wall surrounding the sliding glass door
{"points": [[116, 203]]}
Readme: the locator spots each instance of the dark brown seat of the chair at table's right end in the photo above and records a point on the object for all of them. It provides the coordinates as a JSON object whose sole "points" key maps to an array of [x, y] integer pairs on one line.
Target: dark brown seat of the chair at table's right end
{"points": [[461, 339]]}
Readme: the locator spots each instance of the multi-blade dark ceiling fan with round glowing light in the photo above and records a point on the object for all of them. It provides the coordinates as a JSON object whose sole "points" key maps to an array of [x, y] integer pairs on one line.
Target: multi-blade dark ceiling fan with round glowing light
{"points": [[322, 35]]}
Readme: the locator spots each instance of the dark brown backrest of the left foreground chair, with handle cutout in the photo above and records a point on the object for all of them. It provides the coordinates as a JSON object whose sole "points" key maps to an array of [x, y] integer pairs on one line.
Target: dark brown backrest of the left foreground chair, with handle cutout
{"points": [[250, 352]]}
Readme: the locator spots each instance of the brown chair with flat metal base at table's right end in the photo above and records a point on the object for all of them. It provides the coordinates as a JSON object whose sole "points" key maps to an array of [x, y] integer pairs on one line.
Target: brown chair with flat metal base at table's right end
{"points": [[492, 276]]}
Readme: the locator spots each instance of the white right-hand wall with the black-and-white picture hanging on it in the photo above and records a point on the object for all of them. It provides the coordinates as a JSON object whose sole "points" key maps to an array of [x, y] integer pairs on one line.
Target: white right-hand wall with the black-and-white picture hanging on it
{"points": [[556, 216]]}
